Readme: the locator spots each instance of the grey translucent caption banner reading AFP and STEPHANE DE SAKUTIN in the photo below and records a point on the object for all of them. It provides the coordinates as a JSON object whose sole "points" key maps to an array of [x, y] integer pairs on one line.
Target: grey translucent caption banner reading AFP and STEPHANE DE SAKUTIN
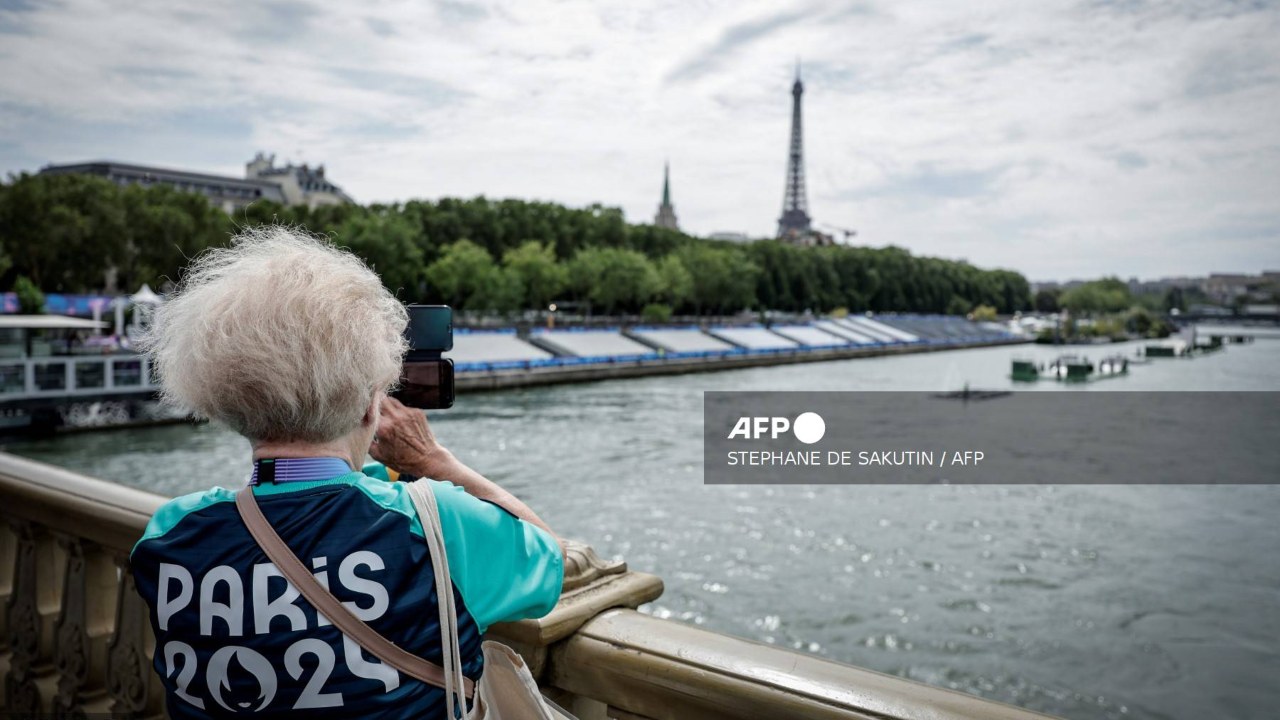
{"points": [[1009, 439]]}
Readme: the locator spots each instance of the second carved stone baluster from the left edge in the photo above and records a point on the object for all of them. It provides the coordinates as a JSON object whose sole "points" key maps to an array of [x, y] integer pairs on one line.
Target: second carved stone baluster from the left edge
{"points": [[84, 628]]}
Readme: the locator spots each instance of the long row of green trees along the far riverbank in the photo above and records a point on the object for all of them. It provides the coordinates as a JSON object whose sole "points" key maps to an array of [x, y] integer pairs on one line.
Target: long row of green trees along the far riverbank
{"points": [[81, 234]]}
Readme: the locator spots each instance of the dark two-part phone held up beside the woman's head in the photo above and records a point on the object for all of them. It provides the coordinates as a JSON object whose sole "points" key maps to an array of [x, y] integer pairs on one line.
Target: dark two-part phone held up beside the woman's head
{"points": [[427, 379]]}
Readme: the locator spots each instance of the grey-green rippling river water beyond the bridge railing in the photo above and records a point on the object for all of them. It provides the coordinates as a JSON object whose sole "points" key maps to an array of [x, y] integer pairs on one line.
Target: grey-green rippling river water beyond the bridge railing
{"points": [[1082, 601]]}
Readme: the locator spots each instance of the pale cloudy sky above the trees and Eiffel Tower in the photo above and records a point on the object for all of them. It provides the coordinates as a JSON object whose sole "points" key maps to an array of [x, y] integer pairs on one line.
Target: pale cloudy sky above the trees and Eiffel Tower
{"points": [[1060, 139]]}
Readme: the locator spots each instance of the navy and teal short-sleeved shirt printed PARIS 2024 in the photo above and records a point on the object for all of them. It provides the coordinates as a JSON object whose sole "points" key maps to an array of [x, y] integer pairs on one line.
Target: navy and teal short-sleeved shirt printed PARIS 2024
{"points": [[234, 637]]}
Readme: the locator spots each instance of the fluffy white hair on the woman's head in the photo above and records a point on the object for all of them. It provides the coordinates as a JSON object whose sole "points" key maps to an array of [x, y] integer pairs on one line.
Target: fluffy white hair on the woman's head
{"points": [[282, 336]]}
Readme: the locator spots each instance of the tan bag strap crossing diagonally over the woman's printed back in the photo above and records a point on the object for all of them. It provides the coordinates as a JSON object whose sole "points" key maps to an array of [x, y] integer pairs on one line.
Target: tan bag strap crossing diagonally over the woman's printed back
{"points": [[331, 608]]}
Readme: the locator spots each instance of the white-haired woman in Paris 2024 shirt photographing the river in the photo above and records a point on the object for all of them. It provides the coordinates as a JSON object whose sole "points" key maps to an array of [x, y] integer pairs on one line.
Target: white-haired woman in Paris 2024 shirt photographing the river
{"points": [[294, 344]]}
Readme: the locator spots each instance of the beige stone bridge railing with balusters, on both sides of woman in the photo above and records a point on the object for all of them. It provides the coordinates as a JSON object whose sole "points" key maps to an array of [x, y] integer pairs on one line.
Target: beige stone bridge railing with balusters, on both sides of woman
{"points": [[75, 637]]}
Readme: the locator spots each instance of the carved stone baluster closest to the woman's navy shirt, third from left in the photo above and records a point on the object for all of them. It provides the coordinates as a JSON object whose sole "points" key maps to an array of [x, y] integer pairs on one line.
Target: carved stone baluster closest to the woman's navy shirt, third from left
{"points": [[130, 678]]}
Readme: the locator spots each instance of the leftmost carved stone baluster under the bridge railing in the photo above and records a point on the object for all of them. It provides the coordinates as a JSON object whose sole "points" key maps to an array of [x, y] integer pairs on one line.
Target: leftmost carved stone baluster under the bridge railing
{"points": [[30, 613]]}
